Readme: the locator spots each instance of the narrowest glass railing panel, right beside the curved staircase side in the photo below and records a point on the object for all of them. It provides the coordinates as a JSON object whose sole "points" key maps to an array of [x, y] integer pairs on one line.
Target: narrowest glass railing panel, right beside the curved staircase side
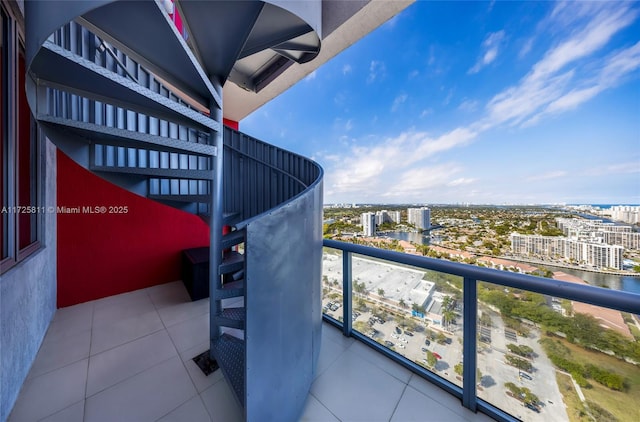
{"points": [[332, 283]]}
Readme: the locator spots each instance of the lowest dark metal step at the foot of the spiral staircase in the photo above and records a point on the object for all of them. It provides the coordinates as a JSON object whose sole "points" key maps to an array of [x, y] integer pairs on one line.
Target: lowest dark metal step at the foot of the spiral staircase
{"points": [[229, 353]]}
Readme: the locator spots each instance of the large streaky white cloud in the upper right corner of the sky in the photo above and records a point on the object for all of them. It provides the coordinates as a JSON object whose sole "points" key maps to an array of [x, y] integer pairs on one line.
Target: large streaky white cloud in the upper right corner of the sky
{"points": [[551, 87]]}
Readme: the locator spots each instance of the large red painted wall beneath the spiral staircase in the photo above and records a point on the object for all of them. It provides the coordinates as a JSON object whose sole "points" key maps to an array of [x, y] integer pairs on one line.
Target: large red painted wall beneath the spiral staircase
{"points": [[101, 255]]}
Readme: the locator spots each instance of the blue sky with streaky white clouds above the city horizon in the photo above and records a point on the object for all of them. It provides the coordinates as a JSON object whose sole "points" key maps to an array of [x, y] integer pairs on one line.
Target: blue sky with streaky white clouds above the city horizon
{"points": [[474, 102]]}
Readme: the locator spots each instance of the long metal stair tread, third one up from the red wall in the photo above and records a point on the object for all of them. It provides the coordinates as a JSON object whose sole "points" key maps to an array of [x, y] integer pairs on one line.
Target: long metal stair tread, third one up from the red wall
{"points": [[105, 135]]}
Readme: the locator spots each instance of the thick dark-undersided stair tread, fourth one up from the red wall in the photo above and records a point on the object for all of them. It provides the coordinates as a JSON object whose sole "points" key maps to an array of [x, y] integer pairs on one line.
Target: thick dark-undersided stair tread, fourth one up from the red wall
{"points": [[63, 69]]}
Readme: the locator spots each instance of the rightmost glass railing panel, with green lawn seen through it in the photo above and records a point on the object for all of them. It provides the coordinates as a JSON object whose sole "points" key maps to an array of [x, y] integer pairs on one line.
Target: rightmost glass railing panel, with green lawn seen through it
{"points": [[544, 358]]}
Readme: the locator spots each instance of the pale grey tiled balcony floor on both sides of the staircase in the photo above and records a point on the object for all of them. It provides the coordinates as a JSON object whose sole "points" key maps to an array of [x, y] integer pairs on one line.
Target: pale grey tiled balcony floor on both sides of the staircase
{"points": [[128, 358]]}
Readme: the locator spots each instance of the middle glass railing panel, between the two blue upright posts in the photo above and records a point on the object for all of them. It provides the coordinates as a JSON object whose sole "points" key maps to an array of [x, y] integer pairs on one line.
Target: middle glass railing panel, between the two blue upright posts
{"points": [[416, 313]]}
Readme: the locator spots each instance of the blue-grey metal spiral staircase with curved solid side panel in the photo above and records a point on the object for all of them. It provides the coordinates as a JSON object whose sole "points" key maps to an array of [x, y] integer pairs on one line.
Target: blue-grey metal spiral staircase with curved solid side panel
{"points": [[130, 96]]}
